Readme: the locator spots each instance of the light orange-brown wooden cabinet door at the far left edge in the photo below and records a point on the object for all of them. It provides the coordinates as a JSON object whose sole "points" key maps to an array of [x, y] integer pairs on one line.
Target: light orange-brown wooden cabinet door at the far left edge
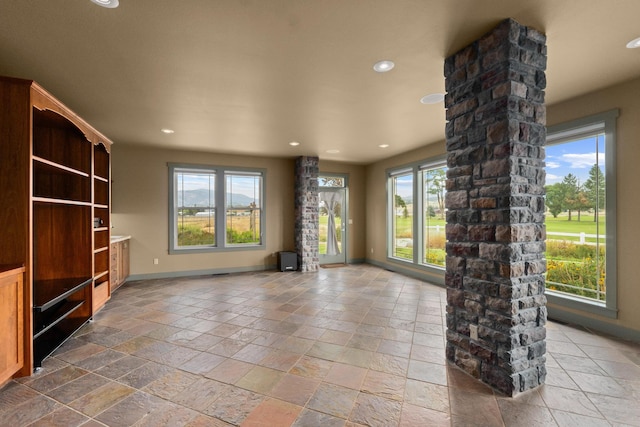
{"points": [[11, 323]]}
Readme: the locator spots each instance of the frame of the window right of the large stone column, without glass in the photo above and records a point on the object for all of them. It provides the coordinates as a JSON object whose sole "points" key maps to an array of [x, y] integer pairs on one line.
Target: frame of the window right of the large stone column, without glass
{"points": [[565, 132]]}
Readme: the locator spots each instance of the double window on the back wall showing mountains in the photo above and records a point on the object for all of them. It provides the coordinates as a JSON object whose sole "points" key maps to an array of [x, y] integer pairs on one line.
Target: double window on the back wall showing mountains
{"points": [[196, 222]]}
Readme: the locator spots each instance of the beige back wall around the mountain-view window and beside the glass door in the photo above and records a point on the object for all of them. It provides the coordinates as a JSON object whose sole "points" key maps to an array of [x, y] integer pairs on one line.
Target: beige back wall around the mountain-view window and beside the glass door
{"points": [[140, 208]]}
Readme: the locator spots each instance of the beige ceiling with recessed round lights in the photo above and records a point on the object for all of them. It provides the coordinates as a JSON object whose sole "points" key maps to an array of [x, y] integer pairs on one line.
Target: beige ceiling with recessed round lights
{"points": [[249, 76]]}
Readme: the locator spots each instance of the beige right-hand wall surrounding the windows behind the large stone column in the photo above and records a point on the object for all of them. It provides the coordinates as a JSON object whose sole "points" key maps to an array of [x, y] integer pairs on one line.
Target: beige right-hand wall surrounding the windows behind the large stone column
{"points": [[625, 97]]}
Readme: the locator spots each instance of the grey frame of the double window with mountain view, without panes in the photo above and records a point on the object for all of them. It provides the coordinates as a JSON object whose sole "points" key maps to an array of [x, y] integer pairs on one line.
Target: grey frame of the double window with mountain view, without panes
{"points": [[221, 173]]}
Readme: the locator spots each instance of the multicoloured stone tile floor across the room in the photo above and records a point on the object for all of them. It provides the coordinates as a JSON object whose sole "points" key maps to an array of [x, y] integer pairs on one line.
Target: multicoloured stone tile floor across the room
{"points": [[347, 346]]}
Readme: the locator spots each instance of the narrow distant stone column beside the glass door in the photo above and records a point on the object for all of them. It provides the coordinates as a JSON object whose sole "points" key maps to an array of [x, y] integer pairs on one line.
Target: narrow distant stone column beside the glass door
{"points": [[307, 213]]}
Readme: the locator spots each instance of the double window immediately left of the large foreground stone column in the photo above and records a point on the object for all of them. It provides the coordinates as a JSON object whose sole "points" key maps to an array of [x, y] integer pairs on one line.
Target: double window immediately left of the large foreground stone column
{"points": [[416, 215]]}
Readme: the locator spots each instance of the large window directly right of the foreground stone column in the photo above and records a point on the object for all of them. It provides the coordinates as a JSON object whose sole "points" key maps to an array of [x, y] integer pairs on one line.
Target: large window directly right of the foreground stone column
{"points": [[580, 218]]}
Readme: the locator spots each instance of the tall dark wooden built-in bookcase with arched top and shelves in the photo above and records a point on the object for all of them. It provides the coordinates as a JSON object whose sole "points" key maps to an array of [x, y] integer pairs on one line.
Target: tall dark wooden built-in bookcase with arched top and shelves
{"points": [[55, 185]]}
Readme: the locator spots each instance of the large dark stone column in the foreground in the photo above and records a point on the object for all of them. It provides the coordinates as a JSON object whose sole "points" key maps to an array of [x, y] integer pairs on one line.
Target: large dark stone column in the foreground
{"points": [[495, 199]]}
